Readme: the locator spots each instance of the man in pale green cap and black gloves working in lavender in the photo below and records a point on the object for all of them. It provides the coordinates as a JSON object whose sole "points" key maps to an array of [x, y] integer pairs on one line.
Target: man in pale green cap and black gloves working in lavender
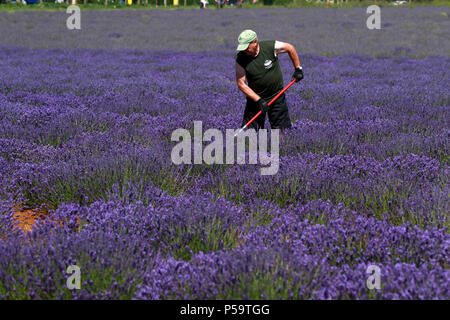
{"points": [[257, 64]]}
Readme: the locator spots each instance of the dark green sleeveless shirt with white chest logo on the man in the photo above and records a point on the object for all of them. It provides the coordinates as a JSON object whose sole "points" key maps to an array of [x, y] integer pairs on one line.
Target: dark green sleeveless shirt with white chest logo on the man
{"points": [[263, 72]]}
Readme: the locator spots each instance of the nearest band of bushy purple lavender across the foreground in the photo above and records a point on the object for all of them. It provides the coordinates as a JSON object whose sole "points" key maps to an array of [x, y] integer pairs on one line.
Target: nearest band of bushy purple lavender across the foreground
{"points": [[199, 247]]}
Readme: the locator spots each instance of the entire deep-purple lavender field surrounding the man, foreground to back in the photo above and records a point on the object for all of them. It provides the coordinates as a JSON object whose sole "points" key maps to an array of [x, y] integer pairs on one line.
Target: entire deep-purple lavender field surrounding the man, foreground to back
{"points": [[363, 178]]}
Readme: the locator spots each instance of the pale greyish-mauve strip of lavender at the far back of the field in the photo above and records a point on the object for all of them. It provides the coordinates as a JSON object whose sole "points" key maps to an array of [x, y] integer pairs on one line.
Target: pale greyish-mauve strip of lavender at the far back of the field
{"points": [[414, 32]]}
